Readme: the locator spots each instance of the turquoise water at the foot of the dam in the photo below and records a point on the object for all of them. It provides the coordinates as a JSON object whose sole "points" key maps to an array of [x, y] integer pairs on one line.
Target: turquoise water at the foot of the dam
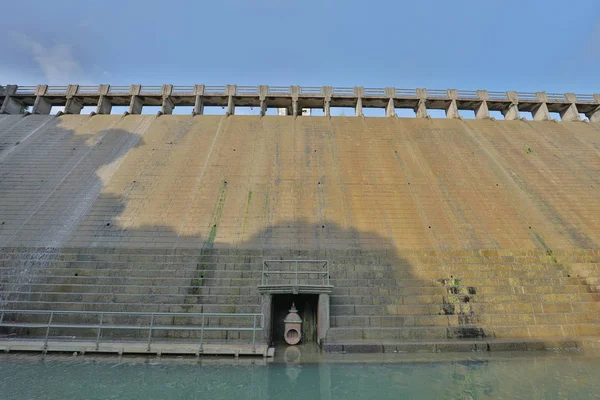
{"points": [[503, 376]]}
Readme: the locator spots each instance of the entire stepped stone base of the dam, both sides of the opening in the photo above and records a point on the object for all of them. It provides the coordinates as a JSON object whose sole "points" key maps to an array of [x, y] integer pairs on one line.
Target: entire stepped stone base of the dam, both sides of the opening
{"points": [[378, 297]]}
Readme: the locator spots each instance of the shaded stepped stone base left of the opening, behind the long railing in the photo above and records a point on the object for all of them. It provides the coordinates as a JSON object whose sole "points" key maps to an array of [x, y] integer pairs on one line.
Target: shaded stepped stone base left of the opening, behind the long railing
{"points": [[168, 281]]}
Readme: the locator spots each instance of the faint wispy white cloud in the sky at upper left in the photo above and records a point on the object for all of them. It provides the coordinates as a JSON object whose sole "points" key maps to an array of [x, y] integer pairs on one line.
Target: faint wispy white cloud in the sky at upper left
{"points": [[57, 61]]}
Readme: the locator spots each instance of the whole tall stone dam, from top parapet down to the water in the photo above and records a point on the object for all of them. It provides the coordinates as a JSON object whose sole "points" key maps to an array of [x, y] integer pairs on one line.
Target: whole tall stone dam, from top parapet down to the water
{"points": [[157, 231]]}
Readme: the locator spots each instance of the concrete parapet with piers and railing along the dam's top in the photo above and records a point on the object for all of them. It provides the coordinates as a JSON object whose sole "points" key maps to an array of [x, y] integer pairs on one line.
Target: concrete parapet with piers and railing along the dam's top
{"points": [[295, 98]]}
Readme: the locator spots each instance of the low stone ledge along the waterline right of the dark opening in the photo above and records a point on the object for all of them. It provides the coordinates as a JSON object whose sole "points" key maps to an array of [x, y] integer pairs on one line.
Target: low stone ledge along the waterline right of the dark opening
{"points": [[461, 346]]}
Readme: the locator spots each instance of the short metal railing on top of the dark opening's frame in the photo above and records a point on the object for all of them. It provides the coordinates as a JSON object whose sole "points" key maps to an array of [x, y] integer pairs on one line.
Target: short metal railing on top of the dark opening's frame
{"points": [[295, 272]]}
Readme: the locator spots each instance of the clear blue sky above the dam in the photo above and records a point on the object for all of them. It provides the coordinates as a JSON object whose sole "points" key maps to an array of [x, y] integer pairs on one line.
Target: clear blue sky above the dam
{"points": [[496, 45]]}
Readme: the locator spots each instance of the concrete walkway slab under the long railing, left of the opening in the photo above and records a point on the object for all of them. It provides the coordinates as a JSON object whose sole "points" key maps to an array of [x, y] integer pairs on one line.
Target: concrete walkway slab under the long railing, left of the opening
{"points": [[158, 348]]}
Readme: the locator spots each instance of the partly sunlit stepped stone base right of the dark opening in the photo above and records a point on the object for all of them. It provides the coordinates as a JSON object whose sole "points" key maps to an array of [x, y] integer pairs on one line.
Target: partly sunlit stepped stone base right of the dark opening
{"points": [[469, 295]]}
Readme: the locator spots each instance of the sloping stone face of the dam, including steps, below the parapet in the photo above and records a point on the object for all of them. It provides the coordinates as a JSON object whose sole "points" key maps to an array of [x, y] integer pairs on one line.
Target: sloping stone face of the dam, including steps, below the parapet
{"points": [[434, 229]]}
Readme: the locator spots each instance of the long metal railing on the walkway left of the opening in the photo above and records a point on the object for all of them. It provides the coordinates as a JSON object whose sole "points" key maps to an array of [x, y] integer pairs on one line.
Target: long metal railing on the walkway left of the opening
{"points": [[101, 325]]}
